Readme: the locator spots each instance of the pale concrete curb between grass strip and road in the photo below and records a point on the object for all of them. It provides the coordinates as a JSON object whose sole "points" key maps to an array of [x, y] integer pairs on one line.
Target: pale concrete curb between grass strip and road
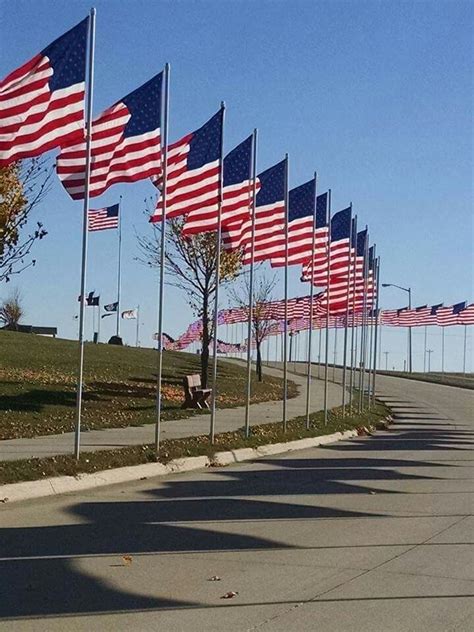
{"points": [[15, 492]]}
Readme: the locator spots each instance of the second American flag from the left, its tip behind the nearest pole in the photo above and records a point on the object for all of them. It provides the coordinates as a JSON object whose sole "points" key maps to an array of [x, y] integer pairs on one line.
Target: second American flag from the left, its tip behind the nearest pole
{"points": [[125, 144]]}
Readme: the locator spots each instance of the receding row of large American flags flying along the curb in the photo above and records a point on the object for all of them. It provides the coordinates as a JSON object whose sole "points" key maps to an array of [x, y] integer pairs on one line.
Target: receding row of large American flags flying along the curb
{"points": [[45, 109]]}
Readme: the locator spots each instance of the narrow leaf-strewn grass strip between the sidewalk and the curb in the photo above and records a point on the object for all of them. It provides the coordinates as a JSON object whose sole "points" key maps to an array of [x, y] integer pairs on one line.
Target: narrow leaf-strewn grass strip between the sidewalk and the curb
{"points": [[173, 449]]}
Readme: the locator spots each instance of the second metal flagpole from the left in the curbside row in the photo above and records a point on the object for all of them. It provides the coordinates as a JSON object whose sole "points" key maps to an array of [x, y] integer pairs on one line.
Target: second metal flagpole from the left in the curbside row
{"points": [[161, 291]]}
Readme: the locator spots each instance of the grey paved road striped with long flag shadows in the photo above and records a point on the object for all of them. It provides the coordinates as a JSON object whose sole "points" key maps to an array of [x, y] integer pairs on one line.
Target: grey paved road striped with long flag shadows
{"points": [[372, 534]]}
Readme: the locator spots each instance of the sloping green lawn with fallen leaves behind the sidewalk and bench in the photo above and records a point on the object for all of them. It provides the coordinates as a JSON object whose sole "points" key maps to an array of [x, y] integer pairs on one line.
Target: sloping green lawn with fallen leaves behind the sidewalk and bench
{"points": [[38, 385]]}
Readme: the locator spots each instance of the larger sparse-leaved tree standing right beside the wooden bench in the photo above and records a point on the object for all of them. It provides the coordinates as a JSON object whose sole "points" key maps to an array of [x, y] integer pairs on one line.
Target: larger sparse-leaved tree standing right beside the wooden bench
{"points": [[190, 264]]}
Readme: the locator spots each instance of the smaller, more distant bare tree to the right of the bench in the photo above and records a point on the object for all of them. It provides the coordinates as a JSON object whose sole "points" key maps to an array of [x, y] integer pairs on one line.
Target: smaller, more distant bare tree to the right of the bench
{"points": [[261, 326]]}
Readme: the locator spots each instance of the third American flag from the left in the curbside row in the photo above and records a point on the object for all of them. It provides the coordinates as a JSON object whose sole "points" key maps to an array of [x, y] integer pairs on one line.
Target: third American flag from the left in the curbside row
{"points": [[193, 176]]}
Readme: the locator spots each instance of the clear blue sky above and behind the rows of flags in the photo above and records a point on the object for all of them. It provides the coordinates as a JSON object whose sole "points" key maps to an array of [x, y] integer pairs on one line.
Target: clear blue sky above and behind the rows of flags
{"points": [[377, 96]]}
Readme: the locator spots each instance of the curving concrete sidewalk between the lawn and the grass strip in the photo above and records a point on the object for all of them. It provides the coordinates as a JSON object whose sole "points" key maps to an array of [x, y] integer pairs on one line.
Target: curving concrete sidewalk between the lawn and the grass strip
{"points": [[227, 419]]}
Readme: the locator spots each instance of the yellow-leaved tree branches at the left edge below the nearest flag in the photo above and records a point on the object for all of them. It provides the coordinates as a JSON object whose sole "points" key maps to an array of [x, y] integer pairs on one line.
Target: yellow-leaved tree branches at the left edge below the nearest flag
{"points": [[23, 185]]}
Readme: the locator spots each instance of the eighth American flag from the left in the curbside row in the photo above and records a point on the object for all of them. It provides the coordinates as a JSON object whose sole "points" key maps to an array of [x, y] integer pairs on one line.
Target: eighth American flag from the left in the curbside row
{"points": [[339, 250]]}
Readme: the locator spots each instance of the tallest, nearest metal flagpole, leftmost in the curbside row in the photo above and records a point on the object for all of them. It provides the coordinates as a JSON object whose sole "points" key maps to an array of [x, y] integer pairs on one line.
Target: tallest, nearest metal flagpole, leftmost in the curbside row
{"points": [[90, 90]]}
